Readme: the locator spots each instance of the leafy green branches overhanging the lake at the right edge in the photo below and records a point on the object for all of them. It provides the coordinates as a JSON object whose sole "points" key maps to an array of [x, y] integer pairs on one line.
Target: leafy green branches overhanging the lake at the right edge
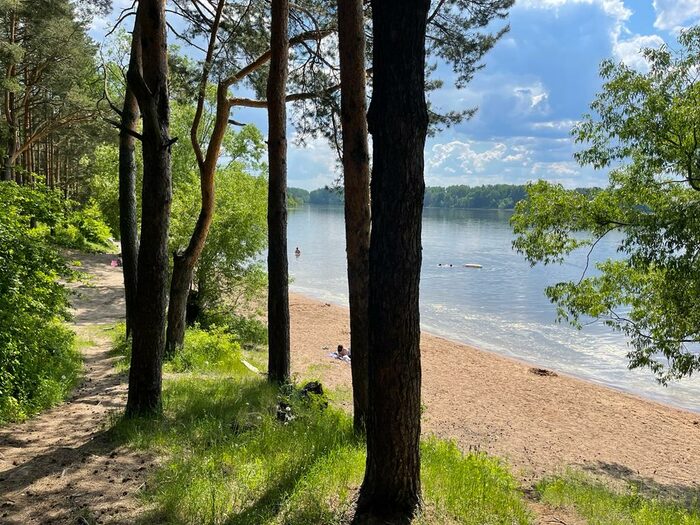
{"points": [[650, 292]]}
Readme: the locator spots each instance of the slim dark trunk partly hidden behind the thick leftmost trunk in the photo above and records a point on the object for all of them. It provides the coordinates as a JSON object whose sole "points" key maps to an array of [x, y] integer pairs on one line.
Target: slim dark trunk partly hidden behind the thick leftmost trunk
{"points": [[128, 229]]}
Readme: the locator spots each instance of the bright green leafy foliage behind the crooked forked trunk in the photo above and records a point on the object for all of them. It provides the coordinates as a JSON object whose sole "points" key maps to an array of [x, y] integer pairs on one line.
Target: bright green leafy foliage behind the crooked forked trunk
{"points": [[228, 274]]}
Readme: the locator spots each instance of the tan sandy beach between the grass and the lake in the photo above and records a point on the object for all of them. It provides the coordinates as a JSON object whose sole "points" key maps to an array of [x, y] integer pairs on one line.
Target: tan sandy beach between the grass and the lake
{"points": [[539, 423]]}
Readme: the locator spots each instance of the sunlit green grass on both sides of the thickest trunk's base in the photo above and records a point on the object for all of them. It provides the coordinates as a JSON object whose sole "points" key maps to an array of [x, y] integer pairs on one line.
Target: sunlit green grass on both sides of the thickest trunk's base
{"points": [[227, 459]]}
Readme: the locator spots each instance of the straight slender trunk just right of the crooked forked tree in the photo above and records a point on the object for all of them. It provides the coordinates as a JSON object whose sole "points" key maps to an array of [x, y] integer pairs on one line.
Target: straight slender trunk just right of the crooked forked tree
{"points": [[277, 265]]}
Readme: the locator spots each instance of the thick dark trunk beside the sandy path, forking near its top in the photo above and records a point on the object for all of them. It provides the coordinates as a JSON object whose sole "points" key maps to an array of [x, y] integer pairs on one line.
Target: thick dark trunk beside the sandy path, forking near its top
{"points": [[151, 90]]}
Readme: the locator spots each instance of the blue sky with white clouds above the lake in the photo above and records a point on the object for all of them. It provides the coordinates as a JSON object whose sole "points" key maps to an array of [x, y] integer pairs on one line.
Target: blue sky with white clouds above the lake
{"points": [[536, 83]]}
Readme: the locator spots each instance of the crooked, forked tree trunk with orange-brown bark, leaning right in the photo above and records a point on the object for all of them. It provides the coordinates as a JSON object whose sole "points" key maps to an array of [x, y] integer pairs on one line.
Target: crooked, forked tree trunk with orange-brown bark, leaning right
{"points": [[184, 263]]}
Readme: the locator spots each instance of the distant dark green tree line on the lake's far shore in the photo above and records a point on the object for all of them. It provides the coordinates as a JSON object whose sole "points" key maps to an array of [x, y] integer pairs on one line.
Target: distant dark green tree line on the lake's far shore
{"points": [[489, 196]]}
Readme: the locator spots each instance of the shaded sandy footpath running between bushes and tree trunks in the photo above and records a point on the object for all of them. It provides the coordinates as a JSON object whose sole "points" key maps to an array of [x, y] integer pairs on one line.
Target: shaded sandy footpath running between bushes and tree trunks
{"points": [[61, 467]]}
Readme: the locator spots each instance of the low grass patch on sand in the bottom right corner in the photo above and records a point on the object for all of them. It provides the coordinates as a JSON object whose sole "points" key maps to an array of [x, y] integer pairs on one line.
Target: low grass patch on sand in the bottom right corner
{"points": [[602, 505]]}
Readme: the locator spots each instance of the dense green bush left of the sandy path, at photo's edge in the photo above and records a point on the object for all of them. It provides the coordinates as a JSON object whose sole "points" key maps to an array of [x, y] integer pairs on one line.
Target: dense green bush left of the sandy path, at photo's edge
{"points": [[38, 363]]}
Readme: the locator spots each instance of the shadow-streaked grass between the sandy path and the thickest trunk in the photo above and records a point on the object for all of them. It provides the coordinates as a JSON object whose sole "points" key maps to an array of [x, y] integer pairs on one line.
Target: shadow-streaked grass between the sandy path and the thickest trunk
{"points": [[229, 460]]}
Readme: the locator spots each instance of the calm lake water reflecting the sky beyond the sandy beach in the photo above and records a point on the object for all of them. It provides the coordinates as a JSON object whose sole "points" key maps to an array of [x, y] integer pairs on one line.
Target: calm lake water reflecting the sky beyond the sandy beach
{"points": [[500, 307]]}
